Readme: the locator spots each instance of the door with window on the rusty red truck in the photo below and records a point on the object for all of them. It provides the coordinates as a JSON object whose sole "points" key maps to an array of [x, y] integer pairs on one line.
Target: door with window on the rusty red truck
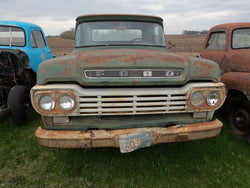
{"points": [[215, 47]]}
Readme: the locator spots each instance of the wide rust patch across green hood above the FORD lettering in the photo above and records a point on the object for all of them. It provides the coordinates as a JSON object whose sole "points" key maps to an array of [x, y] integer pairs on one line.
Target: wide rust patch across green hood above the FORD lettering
{"points": [[127, 56]]}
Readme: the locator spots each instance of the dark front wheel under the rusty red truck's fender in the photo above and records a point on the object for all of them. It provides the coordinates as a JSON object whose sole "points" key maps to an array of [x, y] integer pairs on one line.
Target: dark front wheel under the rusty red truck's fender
{"points": [[238, 116]]}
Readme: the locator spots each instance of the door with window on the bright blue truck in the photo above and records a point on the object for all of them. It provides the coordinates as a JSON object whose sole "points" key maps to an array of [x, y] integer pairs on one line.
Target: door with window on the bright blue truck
{"points": [[40, 49]]}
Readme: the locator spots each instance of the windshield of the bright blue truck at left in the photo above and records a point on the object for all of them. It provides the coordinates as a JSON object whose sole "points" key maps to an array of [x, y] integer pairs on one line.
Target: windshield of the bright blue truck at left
{"points": [[12, 36]]}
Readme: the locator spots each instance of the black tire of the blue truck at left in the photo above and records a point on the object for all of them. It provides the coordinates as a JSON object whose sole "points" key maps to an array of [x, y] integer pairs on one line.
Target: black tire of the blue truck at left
{"points": [[19, 104]]}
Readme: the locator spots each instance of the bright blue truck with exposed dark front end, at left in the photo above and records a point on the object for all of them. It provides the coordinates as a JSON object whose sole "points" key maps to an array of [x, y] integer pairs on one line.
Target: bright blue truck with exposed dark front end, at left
{"points": [[23, 47]]}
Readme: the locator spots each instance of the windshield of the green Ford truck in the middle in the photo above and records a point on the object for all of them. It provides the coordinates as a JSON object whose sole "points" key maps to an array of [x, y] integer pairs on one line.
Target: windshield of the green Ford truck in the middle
{"points": [[119, 33]]}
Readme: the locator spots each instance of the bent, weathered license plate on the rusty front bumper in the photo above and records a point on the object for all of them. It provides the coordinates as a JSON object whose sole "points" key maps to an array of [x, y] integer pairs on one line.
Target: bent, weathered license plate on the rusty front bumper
{"points": [[132, 142]]}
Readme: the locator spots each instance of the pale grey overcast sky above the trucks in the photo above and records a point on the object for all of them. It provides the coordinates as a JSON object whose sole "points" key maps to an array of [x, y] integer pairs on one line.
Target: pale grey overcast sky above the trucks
{"points": [[56, 16]]}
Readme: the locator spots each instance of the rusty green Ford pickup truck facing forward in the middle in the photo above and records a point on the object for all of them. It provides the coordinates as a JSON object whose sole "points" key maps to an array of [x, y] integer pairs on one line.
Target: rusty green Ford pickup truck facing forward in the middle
{"points": [[120, 87]]}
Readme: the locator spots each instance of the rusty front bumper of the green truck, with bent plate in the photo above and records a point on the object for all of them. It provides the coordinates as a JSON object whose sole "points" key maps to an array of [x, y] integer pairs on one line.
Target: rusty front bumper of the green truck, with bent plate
{"points": [[104, 138]]}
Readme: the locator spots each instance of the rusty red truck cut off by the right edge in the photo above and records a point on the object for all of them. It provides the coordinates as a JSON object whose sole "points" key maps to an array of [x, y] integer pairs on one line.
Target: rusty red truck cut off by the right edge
{"points": [[229, 45]]}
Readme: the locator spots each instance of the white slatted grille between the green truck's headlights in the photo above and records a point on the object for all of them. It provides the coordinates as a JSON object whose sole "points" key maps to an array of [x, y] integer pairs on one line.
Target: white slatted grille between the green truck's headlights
{"points": [[132, 102]]}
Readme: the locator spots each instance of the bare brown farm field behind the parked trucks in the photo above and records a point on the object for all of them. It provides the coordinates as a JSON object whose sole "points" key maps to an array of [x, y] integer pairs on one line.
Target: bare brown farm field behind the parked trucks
{"points": [[186, 44]]}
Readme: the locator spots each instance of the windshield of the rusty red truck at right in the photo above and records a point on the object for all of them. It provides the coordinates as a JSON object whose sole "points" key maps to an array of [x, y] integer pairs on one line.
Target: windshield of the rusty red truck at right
{"points": [[241, 38]]}
